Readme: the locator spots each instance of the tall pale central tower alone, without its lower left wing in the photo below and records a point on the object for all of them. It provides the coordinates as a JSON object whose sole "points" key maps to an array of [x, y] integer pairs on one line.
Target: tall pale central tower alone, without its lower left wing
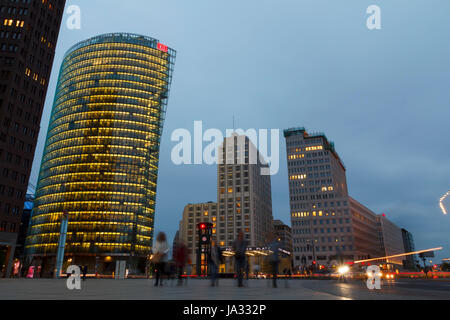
{"points": [[244, 194]]}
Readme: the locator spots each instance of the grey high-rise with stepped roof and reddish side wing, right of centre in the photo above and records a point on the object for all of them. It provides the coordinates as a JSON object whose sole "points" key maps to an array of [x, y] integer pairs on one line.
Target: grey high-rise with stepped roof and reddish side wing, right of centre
{"points": [[327, 225]]}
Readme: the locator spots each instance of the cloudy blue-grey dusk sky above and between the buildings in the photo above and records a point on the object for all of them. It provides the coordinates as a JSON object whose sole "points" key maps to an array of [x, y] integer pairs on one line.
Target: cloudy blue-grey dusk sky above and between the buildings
{"points": [[382, 95]]}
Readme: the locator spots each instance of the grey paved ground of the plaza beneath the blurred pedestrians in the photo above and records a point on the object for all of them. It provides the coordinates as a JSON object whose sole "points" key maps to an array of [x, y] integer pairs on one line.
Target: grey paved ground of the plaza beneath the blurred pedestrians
{"points": [[141, 289]]}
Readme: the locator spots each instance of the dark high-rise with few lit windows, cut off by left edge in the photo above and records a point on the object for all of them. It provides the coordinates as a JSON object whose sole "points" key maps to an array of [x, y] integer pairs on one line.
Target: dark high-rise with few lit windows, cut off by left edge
{"points": [[28, 36]]}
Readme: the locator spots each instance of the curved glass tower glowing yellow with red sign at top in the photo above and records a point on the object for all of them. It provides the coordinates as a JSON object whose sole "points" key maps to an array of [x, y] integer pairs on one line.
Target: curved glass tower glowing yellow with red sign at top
{"points": [[100, 162]]}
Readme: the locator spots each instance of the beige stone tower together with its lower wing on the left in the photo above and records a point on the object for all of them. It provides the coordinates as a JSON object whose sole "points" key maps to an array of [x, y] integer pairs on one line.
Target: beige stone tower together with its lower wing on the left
{"points": [[244, 203]]}
